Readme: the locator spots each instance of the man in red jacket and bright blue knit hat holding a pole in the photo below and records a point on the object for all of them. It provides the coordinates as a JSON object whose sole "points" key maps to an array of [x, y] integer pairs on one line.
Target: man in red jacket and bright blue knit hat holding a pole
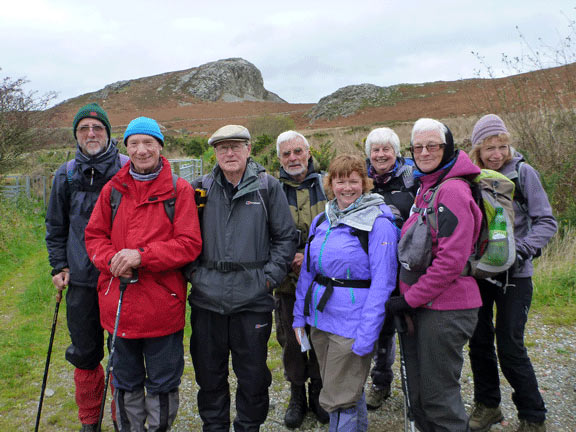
{"points": [[141, 235]]}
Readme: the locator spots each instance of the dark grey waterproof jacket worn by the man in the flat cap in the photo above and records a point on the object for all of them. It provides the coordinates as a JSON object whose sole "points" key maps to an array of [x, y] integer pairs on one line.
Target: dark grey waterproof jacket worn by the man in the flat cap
{"points": [[243, 229]]}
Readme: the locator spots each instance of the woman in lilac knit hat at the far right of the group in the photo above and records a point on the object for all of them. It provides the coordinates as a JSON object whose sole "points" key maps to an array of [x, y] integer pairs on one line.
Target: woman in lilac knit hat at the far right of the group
{"points": [[511, 292]]}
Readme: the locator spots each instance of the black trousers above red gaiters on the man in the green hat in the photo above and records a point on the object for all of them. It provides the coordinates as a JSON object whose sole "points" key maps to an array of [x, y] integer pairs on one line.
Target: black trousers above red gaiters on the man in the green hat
{"points": [[83, 317]]}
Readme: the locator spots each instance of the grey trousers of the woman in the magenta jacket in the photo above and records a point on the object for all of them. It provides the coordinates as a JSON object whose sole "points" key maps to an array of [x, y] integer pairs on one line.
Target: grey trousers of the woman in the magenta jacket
{"points": [[434, 359]]}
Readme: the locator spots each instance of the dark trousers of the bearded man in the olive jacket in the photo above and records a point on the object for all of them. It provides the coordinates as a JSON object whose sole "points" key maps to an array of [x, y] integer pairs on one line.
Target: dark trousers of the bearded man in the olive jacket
{"points": [[298, 365]]}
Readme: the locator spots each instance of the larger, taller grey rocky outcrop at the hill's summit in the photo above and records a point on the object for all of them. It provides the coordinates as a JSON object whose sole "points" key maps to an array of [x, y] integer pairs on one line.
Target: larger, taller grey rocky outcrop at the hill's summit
{"points": [[229, 80]]}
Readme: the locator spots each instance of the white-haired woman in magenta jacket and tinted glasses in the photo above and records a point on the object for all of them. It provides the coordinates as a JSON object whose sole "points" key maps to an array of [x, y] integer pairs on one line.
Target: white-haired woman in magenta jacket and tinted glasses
{"points": [[435, 290]]}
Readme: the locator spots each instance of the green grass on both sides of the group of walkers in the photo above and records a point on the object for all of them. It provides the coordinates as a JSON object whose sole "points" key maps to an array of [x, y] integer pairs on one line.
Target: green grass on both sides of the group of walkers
{"points": [[27, 303]]}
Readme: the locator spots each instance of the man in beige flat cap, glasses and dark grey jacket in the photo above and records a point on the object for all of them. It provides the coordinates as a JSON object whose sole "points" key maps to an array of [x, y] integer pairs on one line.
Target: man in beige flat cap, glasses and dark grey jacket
{"points": [[248, 244]]}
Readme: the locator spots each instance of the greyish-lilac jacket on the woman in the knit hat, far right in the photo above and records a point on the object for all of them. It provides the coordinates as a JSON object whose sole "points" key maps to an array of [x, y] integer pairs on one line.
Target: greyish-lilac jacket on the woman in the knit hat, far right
{"points": [[532, 229]]}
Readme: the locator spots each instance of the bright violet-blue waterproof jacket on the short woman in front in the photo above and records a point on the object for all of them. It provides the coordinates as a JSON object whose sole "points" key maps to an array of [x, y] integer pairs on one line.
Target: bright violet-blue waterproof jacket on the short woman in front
{"points": [[356, 313]]}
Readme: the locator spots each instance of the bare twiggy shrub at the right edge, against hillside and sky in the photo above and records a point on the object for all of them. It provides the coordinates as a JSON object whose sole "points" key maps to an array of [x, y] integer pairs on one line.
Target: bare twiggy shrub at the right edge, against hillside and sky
{"points": [[540, 111]]}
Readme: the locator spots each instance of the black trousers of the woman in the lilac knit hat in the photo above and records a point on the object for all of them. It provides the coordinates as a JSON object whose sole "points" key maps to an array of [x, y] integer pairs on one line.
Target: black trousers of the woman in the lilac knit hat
{"points": [[512, 306]]}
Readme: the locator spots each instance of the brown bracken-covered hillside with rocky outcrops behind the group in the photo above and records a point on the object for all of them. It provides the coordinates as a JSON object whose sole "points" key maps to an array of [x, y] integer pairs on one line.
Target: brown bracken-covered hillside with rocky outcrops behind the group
{"points": [[200, 99]]}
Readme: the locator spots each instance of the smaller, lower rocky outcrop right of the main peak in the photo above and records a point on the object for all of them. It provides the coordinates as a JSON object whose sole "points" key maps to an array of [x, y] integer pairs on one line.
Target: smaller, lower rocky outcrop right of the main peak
{"points": [[348, 100]]}
